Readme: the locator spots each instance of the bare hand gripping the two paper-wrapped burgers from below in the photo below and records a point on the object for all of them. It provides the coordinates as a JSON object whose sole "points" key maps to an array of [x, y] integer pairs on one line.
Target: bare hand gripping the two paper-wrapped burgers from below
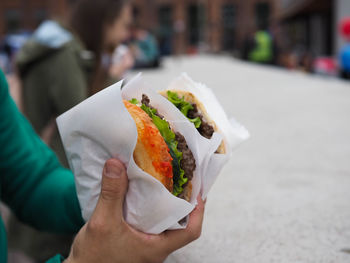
{"points": [[106, 237]]}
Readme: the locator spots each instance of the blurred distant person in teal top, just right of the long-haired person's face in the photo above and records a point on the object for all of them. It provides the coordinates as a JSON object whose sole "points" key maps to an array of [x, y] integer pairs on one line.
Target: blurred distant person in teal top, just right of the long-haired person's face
{"points": [[145, 49]]}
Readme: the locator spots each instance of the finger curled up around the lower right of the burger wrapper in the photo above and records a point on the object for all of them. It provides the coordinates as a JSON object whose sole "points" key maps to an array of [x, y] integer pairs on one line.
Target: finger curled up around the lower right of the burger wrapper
{"points": [[175, 239]]}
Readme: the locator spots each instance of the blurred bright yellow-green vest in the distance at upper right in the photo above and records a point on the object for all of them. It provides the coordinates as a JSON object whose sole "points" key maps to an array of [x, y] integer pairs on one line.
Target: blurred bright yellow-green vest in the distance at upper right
{"points": [[262, 53]]}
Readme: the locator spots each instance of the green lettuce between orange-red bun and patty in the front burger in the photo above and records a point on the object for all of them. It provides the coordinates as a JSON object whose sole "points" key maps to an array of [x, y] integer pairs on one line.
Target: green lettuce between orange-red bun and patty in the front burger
{"points": [[169, 138]]}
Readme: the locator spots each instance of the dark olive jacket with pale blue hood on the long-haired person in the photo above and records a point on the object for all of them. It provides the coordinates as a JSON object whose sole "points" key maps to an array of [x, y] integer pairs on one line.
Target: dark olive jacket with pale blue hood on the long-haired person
{"points": [[55, 70]]}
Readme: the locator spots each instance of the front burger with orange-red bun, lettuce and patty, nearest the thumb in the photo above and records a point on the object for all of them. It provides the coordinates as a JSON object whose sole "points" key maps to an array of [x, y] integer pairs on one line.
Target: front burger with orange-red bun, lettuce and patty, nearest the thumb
{"points": [[159, 150]]}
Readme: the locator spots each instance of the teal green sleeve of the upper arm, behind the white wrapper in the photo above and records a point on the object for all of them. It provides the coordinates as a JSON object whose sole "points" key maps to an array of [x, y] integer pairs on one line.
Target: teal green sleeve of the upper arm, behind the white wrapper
{"points": [[33, 183]]}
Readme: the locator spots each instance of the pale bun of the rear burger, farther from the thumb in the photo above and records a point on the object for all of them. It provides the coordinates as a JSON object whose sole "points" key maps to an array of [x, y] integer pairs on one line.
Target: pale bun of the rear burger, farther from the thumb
{"points": [[191, 98]]}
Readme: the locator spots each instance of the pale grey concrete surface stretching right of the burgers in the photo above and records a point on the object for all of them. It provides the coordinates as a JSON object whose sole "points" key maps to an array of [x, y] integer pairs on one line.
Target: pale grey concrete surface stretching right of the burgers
{"points": [[285, 195]]}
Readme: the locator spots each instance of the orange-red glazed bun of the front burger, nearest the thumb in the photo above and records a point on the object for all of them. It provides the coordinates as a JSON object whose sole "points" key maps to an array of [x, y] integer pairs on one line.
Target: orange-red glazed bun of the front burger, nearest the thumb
{"points": [[151, 153]]}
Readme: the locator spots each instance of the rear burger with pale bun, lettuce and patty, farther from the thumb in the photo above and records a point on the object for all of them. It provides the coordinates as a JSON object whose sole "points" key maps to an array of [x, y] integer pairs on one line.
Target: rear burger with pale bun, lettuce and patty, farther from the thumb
{"points": [[194, 110]]}
